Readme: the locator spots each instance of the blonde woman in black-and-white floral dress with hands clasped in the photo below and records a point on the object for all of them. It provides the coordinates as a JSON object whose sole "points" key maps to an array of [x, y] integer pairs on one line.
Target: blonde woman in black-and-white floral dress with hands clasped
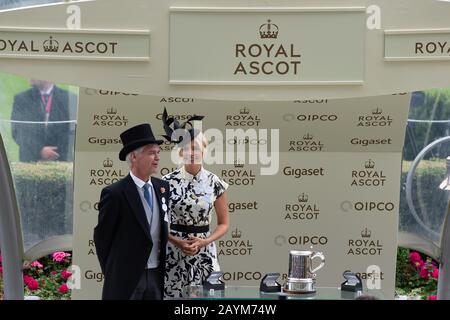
{"points": [[195, 193]]}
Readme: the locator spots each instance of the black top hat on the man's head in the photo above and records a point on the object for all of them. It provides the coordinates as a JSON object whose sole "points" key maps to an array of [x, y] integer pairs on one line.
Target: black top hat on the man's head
{"points": [[135, 138]]}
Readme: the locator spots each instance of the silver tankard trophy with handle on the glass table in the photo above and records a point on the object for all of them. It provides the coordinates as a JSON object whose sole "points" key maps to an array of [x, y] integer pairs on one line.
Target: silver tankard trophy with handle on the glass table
{"points": [[302, 276]]}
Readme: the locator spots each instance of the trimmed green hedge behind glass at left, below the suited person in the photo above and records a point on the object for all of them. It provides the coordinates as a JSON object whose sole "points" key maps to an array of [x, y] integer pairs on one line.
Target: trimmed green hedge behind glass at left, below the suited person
{"points": [[44, 193]]}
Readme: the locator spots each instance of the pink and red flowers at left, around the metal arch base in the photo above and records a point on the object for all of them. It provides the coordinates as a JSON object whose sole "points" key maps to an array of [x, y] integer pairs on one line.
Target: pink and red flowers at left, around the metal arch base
{"points": [[46, 277]]}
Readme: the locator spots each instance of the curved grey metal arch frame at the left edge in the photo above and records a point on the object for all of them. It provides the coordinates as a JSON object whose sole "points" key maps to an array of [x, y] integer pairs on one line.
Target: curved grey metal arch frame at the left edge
{"points": [[11, 241]]}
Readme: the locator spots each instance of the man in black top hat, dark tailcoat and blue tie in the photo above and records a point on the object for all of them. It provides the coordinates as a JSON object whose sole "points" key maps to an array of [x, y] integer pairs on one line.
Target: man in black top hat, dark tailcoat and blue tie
{"points": [[131, 234]]}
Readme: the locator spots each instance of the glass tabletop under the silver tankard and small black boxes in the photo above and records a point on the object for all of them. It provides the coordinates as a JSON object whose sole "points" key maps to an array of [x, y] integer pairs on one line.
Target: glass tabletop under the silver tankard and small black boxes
{"points": [[252, 292]]}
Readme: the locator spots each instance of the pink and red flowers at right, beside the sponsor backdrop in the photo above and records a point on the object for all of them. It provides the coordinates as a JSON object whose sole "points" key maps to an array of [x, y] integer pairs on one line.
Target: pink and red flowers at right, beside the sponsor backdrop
{"points": [[417, 275]]}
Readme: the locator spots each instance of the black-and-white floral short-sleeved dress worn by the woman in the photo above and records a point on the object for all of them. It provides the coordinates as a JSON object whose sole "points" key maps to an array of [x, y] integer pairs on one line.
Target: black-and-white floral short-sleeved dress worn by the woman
{"points": [[191, 203]]}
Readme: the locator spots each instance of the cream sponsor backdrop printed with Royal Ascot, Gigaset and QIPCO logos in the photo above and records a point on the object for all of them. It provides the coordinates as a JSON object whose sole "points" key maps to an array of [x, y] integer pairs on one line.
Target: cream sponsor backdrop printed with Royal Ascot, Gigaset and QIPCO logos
{"points": [[334, 188]]}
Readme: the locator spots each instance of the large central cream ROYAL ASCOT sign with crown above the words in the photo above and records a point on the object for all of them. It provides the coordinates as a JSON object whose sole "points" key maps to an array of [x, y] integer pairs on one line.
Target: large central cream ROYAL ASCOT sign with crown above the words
{"points": [[267, 46]]}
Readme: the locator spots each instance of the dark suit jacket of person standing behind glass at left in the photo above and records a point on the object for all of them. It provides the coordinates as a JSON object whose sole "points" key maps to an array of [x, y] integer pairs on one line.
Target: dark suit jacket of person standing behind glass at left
{"points": [[31, 138]]}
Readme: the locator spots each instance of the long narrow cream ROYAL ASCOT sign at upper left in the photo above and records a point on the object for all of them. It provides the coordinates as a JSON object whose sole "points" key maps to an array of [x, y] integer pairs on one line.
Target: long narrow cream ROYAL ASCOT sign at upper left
{"points": [[80, 45]]}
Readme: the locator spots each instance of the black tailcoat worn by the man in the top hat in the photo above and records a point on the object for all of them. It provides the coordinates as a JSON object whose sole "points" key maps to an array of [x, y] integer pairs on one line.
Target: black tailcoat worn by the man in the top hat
{"points": [[122, 237]]}
